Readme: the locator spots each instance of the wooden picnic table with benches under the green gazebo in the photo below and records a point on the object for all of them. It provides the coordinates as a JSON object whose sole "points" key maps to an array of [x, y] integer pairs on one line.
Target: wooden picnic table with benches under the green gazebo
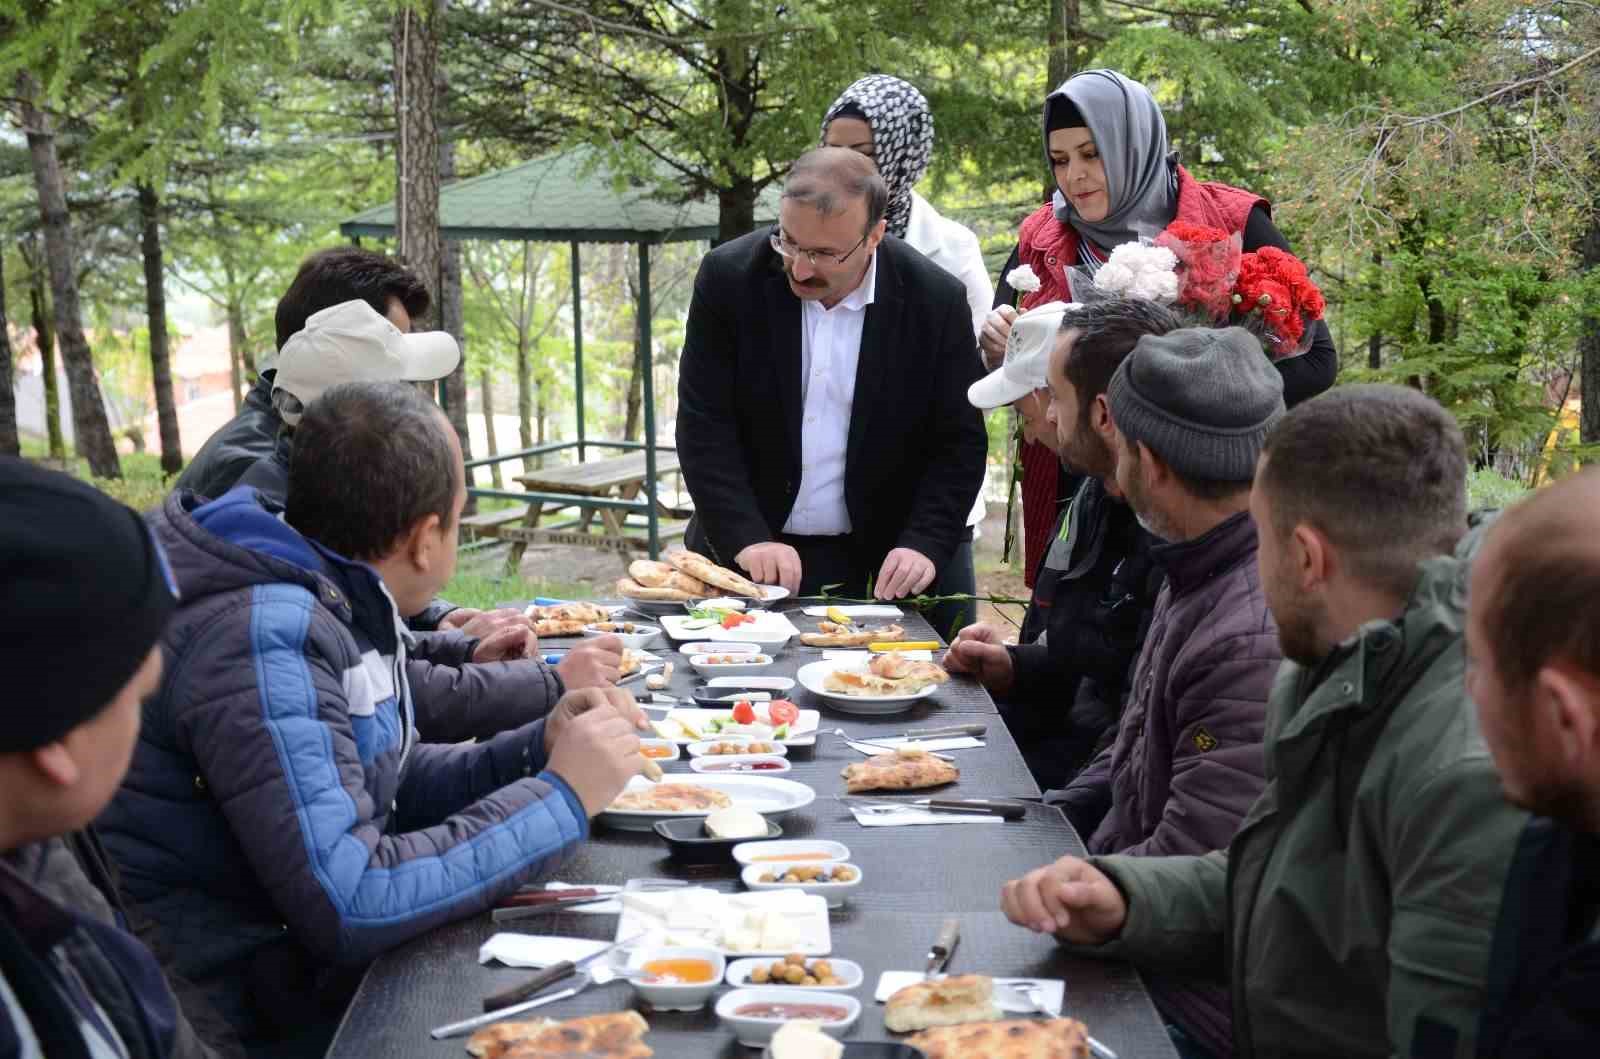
{"points": [[570, 486]]}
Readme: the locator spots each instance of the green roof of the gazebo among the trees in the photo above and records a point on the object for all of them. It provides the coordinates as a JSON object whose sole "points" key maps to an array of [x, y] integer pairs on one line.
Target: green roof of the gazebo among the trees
{"points": [[562, 198]]}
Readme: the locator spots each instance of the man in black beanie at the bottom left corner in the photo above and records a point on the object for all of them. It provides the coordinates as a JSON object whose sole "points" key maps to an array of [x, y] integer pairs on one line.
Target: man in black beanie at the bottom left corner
{"points": [[87, 596]]}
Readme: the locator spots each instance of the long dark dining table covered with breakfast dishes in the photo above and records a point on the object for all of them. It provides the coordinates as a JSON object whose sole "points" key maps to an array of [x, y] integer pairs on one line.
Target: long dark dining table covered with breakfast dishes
{"points": [[914, 877]]}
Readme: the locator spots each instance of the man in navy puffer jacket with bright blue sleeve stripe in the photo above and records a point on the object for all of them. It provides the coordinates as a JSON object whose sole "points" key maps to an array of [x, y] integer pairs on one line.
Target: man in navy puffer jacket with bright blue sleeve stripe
{"points": [[281, 821]]}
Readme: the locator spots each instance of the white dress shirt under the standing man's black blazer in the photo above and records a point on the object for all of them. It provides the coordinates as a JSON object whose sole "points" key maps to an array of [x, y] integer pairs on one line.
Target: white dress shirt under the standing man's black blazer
{"points": [[830, 353]]}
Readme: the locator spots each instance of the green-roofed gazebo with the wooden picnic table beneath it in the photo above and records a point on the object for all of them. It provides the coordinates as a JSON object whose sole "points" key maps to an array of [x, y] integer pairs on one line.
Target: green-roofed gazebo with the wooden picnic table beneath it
{"points": [[572, 198]]}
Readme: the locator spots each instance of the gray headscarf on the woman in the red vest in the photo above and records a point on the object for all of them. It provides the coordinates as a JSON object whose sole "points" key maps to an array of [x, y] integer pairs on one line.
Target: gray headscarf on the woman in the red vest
{"points": [[1130, 134]]}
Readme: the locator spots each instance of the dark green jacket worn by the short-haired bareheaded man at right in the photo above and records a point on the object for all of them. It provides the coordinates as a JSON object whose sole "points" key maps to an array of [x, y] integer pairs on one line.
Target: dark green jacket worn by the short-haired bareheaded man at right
{"points": [[1354, 913]]}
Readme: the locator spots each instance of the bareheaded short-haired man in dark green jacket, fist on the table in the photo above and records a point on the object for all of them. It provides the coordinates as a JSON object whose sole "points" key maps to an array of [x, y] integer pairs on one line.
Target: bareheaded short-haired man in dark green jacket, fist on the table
{"points": [[1353, 914]]}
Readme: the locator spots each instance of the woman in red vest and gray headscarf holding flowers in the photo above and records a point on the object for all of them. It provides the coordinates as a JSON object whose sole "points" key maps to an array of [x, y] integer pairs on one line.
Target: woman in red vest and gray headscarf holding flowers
{"points": [[1116, 183]]}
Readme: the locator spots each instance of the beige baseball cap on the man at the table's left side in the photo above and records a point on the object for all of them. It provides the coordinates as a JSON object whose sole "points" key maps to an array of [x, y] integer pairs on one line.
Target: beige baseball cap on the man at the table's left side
{"points": [[353, 343]]}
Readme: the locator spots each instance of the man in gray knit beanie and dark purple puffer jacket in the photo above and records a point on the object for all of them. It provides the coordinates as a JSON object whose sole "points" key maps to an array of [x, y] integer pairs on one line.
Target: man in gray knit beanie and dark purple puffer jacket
{"points": [[1191, 410]]}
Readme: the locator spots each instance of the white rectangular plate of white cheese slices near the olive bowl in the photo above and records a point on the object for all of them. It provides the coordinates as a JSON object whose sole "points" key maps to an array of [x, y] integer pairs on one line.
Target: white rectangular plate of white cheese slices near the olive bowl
{"points": [[663, 921]]}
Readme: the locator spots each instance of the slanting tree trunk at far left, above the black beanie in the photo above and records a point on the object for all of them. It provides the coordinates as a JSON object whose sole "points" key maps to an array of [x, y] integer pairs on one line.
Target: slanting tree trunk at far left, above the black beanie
{"points": [[89, 409]]}
